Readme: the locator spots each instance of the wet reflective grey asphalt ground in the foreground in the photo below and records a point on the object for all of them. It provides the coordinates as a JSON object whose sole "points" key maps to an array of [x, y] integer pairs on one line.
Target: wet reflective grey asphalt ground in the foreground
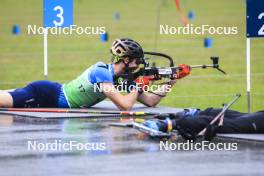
{"points": [[123, 151]]}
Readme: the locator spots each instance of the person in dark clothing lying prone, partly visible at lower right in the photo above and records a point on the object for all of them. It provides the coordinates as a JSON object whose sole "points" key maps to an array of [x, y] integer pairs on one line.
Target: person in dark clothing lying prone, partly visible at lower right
{"points": [[191, 121]]}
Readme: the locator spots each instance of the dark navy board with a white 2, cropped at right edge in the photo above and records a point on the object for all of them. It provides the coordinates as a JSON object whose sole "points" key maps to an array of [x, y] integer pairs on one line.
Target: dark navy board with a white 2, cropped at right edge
{"points": [[255, 18]]}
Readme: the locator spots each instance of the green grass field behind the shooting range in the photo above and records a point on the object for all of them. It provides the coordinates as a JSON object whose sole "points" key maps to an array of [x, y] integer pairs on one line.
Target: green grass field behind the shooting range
{"points": [[21, 57]]}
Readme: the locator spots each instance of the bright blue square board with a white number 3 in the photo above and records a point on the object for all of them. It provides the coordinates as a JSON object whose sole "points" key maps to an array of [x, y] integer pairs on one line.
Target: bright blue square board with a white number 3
{"points": [[58, 13]]}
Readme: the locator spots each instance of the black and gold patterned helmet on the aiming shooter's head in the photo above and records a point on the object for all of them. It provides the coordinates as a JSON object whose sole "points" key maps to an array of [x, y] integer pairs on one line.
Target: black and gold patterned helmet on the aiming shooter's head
{"points": [[124, 47]]}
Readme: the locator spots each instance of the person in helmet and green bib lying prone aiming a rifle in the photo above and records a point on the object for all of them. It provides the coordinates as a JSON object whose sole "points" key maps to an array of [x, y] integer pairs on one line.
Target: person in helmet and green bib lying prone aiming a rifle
{"points": [[81, 92]]}
